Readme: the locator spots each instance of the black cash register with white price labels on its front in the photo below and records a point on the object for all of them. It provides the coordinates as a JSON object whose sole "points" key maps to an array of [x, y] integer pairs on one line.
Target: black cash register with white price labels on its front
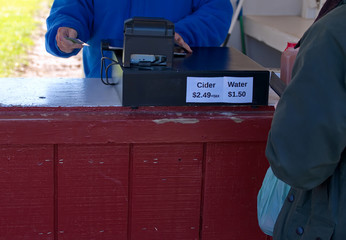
{"points": [[152, 72]]}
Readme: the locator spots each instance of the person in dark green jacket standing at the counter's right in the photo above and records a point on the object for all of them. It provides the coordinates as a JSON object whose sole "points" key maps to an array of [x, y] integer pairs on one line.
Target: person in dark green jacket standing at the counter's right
{"points": [[306, 145]]}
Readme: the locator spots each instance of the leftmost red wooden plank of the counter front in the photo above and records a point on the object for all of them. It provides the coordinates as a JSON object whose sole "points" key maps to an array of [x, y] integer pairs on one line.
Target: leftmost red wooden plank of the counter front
{"points": [[26, 192]]}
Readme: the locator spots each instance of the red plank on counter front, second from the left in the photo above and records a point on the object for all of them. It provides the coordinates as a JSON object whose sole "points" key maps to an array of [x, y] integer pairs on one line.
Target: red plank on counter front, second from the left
{"points": [[92, 192]]}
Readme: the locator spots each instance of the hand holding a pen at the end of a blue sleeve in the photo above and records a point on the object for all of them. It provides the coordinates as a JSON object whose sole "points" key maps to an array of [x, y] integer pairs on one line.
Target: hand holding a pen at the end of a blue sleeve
{"points": [[65, 45]]}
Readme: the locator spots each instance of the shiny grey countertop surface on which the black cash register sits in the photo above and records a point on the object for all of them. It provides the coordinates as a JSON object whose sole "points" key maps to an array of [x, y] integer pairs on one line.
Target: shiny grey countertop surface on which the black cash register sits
{"points": [[63, 92]]}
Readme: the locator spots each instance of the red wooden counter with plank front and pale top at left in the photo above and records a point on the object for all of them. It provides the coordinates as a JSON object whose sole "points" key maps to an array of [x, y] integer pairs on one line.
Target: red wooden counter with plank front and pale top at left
{"points": [[75, 165]]}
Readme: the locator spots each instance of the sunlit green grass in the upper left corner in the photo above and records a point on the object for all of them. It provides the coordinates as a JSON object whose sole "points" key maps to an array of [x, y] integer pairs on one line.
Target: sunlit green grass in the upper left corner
{"points": [[17, 23]]}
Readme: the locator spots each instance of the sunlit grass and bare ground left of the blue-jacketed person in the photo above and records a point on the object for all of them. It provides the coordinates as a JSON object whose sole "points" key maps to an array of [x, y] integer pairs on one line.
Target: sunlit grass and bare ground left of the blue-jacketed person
{"points": [[22, 49]]}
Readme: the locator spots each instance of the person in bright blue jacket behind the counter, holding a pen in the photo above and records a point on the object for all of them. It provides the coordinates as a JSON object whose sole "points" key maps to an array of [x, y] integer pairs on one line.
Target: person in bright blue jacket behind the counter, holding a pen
{"points": [[197, 23]]}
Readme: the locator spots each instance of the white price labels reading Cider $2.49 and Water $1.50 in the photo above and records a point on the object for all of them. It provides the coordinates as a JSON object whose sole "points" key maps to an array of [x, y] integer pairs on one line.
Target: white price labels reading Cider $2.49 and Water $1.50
{"points": [[219, 89]]}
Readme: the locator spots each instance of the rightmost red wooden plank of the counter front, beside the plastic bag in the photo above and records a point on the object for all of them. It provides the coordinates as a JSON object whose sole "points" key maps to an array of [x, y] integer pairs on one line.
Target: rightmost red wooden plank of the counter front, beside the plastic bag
{"points": [[234, 174]]}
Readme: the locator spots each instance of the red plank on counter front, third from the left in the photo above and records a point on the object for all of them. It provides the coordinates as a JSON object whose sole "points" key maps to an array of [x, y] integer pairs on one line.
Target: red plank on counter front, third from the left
{"points": [[166, 191]]}
